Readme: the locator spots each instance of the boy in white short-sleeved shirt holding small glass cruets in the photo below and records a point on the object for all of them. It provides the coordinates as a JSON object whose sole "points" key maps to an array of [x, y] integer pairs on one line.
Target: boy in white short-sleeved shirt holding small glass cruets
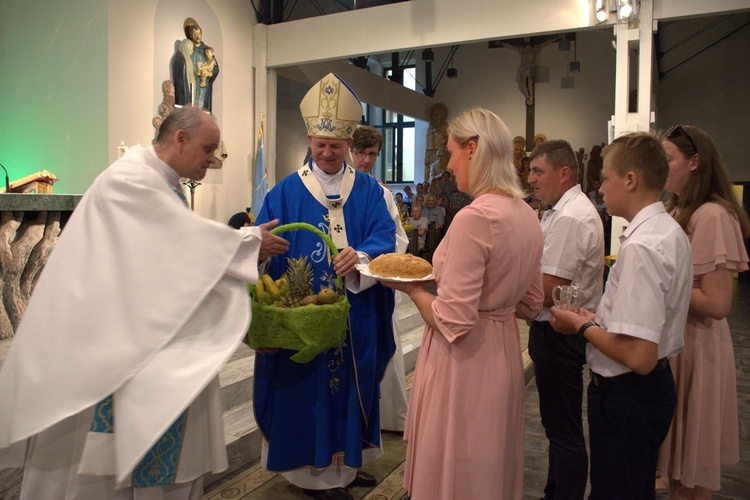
{"points": [[631, 397]]}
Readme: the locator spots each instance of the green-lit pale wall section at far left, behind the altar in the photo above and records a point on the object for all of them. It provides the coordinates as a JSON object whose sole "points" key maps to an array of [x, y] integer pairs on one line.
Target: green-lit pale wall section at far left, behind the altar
{"points": [[53, 90]]}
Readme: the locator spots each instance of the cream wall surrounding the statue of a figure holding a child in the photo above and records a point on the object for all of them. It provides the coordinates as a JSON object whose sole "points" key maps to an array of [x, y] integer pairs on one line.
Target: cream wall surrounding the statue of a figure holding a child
{"points": [[226, 27]]}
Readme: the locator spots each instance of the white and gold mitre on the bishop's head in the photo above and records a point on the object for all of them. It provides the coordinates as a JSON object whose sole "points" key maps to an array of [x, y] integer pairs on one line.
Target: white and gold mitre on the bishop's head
{"points": [[331, 109]]}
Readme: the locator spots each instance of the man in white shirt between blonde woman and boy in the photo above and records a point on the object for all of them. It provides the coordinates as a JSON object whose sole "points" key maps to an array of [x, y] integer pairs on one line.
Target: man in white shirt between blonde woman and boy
{"points": [[573, 252]]}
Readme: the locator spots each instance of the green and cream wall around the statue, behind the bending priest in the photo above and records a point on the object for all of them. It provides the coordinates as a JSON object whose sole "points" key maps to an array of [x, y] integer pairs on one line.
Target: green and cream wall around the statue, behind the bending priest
{"points": [[78, 78]]}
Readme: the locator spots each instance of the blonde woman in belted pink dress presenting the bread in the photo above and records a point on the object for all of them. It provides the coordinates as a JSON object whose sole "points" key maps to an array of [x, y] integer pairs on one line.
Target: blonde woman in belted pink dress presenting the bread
{"points": [[465, 422]]}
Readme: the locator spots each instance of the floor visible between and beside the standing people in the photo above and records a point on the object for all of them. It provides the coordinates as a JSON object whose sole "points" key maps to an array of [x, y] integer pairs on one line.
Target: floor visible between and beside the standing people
{"points": [[256, 483]]}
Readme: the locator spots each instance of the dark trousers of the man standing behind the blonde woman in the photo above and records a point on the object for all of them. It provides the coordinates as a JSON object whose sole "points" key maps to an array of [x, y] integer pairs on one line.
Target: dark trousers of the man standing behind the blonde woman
{"points": [[558, 371]]}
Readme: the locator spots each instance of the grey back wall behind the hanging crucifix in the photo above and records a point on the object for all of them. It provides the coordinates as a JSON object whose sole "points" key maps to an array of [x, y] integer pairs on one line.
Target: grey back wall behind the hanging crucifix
{"points": [[487, 78]]}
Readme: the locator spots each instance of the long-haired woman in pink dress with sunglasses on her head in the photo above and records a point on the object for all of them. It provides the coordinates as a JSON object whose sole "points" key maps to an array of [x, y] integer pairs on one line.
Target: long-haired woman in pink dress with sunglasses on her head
{"points": [[703, 436]]}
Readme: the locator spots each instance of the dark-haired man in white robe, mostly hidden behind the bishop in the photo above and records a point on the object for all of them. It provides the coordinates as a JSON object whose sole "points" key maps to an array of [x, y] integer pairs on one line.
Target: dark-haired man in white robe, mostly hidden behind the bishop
{"points": [[365, 148]]}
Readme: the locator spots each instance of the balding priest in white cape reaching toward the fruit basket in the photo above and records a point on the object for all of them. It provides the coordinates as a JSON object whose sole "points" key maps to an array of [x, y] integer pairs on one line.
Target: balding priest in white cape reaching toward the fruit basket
{"points": [[139, 305]]}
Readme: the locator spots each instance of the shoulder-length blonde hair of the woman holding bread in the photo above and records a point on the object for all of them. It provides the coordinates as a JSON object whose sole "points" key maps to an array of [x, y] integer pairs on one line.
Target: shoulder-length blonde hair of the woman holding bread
{"points": [[492, 164]]}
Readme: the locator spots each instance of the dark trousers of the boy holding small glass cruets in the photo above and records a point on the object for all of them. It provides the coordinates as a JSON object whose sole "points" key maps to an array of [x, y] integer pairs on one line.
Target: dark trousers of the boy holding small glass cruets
{"points": [[627, 423]]}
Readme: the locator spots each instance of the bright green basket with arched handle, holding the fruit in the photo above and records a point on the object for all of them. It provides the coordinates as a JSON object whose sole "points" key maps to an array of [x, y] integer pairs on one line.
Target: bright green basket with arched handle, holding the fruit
{"points": [[310, 330]]}
